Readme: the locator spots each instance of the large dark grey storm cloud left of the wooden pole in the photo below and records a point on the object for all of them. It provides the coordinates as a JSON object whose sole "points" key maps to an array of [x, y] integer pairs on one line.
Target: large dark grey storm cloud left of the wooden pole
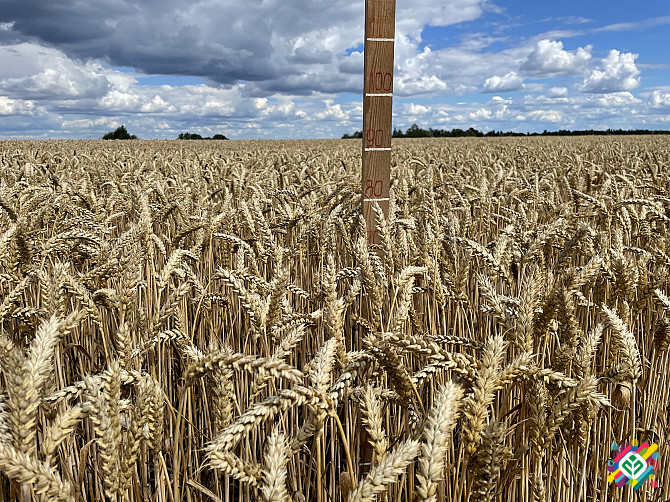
{"points": [[225, 42]]}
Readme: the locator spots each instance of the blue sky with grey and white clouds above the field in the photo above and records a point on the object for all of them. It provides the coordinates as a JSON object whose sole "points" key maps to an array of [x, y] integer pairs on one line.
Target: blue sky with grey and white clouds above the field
{"points": [[294, 68]]}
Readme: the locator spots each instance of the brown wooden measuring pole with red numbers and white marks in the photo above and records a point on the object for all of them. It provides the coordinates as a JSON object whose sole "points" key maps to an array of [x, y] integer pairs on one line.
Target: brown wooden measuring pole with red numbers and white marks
{"points": [[377, 108]]}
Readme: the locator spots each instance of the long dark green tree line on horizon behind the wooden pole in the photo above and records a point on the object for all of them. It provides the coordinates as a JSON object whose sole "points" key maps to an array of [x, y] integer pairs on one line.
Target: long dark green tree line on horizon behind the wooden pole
{"points": [[414, 131]]}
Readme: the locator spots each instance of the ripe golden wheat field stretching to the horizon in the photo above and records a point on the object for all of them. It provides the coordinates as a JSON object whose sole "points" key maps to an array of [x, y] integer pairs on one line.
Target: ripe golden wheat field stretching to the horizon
{"points": [[206, 321]]}
